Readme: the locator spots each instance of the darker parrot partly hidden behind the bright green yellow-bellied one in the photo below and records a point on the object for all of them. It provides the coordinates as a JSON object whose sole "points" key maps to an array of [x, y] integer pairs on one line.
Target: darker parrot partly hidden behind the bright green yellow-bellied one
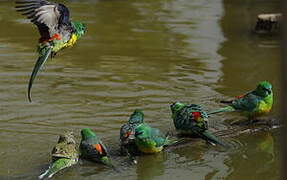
{"points": [[127, 134]]}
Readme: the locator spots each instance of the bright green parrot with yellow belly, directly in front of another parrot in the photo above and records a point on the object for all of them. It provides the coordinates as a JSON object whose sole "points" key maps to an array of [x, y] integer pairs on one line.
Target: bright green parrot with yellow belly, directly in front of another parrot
{"points": [[150, 140]]}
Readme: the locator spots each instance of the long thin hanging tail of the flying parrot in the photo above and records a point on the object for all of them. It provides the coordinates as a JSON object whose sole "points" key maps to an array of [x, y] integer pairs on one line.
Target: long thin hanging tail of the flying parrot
{"points": [[44, 55]]}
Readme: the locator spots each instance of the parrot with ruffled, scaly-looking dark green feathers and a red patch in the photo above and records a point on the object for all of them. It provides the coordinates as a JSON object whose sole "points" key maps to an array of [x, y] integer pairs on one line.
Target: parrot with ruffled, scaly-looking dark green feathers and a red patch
{"points": [[192, 120]]}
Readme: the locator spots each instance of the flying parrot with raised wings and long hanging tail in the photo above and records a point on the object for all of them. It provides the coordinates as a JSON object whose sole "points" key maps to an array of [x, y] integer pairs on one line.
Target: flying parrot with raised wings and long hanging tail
{"points": [[56, 30]]}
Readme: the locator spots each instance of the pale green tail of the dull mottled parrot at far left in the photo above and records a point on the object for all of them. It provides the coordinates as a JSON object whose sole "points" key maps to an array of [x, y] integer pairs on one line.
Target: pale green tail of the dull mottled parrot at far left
{"points": [[57, 166]]}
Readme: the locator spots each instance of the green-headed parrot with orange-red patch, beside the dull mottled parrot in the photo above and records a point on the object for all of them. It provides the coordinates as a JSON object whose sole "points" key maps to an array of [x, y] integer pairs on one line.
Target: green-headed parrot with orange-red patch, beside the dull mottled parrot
{"points": [[92, 148]]}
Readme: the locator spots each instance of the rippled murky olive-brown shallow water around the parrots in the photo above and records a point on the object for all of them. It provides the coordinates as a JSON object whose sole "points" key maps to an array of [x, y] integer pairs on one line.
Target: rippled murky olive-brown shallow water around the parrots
{"points": [[138, 54]]}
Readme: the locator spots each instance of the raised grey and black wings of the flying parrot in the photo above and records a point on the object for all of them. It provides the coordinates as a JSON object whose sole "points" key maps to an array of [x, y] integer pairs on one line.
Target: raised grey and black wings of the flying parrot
{"points": [[46, 15]]}
